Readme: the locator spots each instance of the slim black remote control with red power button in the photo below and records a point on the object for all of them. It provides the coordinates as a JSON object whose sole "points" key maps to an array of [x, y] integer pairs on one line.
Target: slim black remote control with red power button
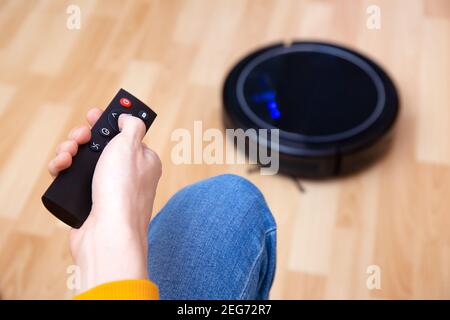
{"points": [[69, 197]]}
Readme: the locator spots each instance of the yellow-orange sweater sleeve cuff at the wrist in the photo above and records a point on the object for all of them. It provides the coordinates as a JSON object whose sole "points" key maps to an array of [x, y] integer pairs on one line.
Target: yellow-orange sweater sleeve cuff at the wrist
{"points": [[122, 290]]}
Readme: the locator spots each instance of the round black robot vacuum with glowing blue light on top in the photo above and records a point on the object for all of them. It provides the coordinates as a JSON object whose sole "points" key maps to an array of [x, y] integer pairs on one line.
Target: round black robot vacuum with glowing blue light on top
{"points": [[334, 107]]}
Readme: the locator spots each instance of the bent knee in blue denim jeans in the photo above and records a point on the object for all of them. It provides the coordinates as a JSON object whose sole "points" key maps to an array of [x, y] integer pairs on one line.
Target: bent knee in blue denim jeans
{"points": [[215, 239]]}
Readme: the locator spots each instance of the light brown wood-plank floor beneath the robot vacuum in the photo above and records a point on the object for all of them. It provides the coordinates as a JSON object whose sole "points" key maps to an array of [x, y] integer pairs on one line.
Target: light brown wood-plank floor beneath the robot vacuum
{"points": [[174, 55]]}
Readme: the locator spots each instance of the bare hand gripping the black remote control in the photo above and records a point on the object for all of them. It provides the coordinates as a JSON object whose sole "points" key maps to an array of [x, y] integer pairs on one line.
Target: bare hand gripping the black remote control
{"points": [[112, 243]]}
